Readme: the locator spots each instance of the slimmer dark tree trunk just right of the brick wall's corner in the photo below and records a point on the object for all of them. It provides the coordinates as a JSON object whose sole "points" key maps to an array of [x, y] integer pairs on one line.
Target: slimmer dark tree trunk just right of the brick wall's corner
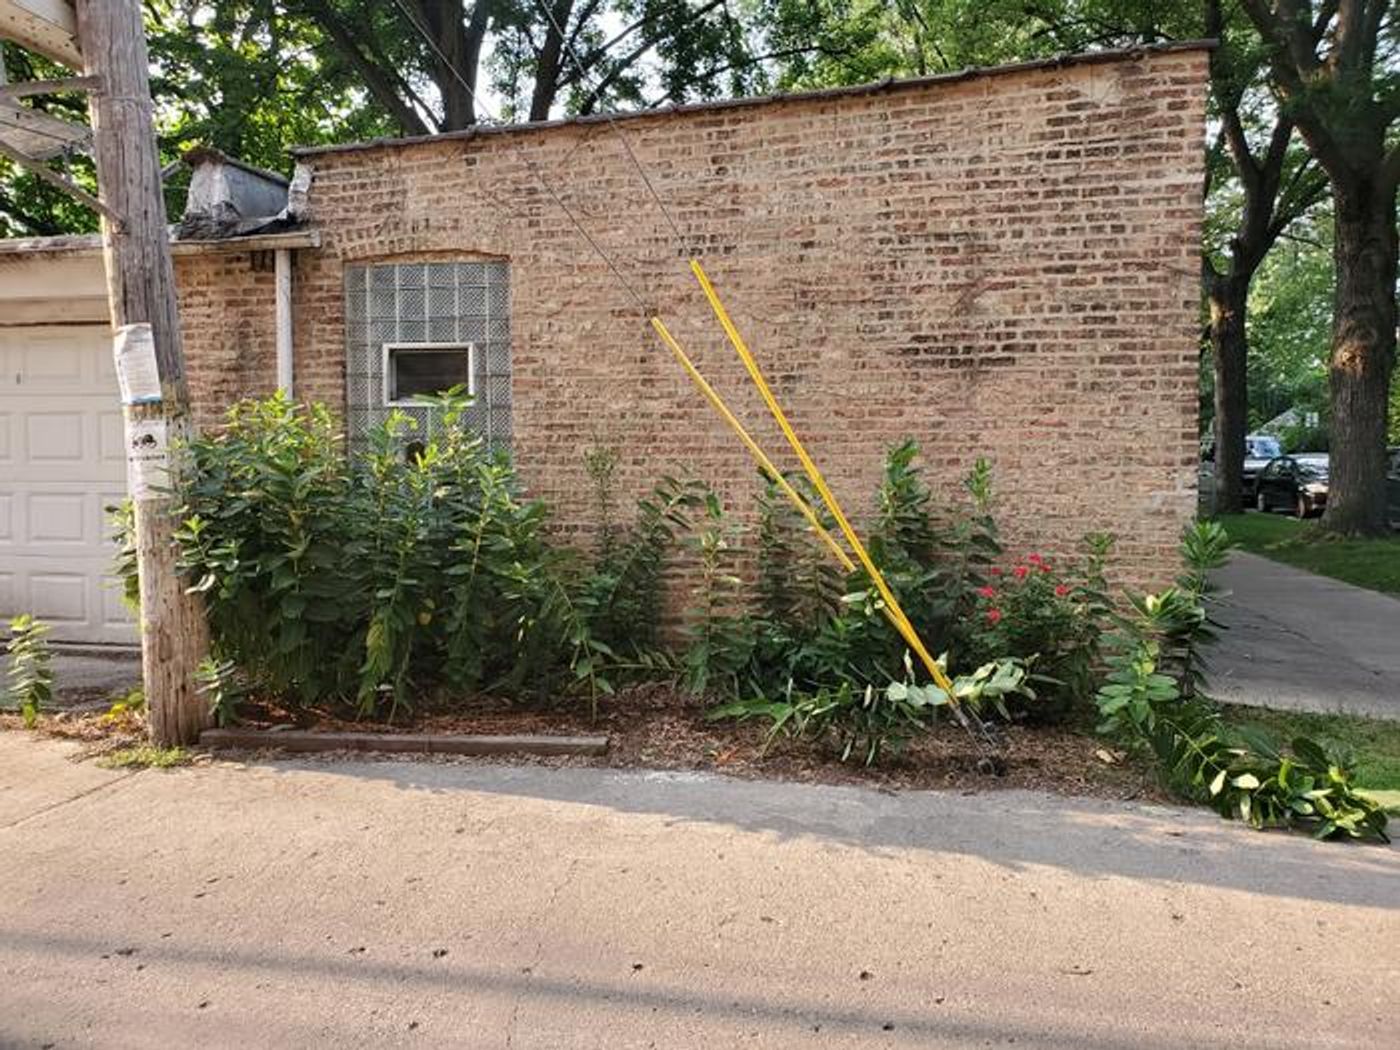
{"points": [[1230, 349]]}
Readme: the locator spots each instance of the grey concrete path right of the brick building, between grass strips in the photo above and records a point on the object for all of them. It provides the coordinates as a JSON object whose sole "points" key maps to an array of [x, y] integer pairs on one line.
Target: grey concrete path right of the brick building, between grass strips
{"points": [[1305, 642]]}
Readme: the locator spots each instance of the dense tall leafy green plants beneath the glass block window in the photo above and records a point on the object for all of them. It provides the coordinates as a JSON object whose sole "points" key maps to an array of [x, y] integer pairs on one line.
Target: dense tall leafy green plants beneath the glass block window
{"points": [[414, 566]]}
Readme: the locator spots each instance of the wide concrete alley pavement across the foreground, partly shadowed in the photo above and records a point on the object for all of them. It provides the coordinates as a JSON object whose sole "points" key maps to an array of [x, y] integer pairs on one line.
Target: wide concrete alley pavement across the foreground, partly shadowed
{"points": [[297, 905]]}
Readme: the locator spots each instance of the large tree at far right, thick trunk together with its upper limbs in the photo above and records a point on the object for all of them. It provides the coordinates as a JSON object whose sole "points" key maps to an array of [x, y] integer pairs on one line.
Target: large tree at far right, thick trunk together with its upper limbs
{"points": [[1336, 73]]}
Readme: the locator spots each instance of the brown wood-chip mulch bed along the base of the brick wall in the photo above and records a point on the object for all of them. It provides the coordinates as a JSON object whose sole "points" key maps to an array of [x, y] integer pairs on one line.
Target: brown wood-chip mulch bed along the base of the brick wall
{"points": [[659, 727]]}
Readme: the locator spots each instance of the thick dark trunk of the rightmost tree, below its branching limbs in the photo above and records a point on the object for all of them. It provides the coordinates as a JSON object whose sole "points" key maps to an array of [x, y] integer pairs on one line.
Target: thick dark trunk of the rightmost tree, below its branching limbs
{"points": [[1363, 356]]}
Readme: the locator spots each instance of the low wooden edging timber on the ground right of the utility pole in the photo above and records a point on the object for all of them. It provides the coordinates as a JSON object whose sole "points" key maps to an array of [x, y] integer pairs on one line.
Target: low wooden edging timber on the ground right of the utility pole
{"points": [[402, 743]]}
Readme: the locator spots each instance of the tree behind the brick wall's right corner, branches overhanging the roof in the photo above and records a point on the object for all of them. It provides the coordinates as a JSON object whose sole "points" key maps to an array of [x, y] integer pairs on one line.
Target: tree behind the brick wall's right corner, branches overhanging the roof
{"points": [[1259, 180]]}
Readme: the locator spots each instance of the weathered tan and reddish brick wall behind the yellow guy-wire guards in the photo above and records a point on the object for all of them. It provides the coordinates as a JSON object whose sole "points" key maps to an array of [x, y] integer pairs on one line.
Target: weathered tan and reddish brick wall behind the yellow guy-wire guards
{"points": [[1000, 267]]}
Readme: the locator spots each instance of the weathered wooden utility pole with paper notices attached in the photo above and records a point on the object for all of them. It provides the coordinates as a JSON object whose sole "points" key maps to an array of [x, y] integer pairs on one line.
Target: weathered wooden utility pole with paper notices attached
{"points": [[142, 293]]}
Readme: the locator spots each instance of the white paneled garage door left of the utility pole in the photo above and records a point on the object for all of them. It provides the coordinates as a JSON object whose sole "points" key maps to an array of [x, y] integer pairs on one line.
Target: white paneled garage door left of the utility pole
{"points": [[61, 464]]}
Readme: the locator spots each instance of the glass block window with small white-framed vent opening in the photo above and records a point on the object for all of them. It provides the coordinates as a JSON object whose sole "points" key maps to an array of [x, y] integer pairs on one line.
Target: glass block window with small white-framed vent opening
{"points": [[412, 328]]}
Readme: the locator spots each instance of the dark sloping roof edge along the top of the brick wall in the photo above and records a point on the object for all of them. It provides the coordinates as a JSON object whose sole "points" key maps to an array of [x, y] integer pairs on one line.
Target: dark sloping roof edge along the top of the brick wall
{"points": [[848, 92]]}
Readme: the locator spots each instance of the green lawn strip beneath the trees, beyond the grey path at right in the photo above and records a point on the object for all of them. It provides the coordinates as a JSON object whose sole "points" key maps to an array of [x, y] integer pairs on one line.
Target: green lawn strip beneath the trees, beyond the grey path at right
{"points": [[1371, 563]]}
